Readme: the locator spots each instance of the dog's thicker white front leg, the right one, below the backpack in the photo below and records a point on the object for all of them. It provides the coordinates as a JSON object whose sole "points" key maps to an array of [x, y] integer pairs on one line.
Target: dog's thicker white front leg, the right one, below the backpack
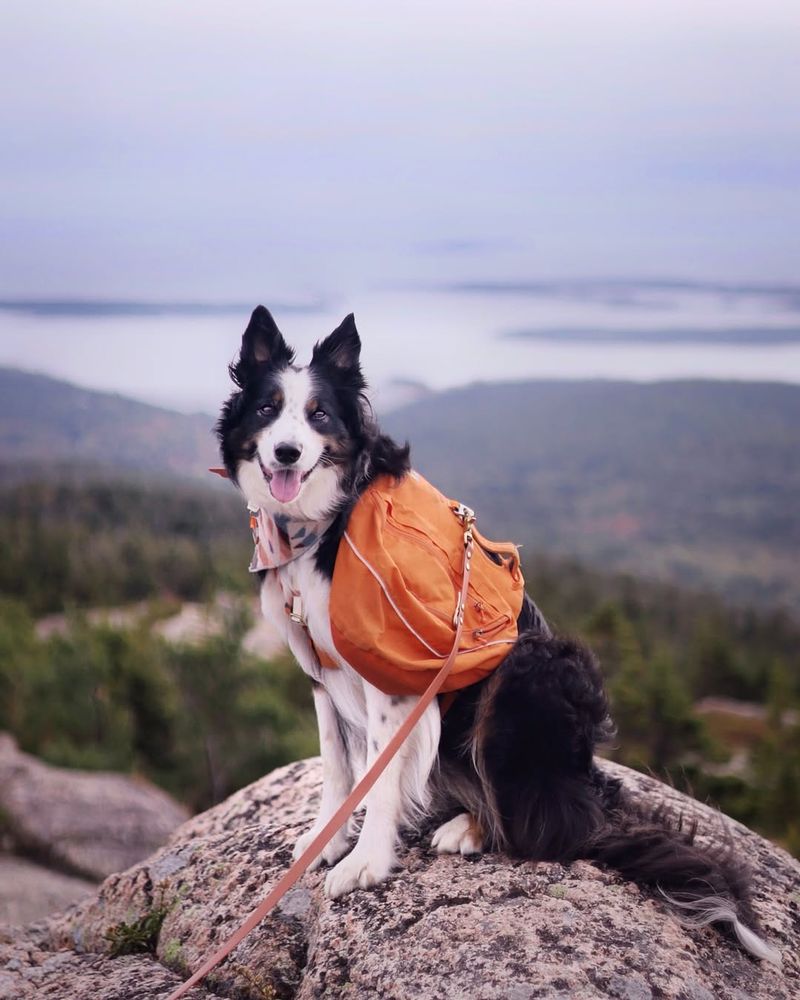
{"points": [[397, 796]]}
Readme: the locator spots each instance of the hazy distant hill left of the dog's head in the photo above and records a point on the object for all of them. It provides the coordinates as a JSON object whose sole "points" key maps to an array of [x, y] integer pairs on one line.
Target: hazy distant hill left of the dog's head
{"points": [[44, 420]]}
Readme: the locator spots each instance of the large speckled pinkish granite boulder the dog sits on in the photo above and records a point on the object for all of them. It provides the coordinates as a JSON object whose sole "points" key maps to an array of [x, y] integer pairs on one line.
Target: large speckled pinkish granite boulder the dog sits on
{"points": [[443, 927]]}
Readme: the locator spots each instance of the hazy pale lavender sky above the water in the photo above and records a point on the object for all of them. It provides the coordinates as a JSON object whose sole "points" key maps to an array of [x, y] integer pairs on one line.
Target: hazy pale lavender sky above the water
{"points": [[260, 150]]}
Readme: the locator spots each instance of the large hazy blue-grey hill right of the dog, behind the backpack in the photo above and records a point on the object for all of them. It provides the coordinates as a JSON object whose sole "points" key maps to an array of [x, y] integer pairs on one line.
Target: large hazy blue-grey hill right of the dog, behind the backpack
{"points": [[694, 481]]}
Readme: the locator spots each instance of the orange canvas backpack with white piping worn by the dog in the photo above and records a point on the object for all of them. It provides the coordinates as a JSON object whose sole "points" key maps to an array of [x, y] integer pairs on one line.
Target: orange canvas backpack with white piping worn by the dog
{"points": [[396, 583]]}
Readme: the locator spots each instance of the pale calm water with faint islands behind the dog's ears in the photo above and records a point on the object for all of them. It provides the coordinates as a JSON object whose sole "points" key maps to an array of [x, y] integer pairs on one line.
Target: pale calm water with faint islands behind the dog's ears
{"points": [[441, 338]]}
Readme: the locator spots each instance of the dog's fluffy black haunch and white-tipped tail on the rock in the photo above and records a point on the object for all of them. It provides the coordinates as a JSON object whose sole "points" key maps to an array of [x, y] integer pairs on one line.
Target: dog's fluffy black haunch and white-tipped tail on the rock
{"points": [[541, 715]]}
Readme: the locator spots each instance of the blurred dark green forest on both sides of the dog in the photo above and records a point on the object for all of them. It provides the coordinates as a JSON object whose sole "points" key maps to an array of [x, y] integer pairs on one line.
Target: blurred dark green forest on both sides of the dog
{"points": [[705, 694]]}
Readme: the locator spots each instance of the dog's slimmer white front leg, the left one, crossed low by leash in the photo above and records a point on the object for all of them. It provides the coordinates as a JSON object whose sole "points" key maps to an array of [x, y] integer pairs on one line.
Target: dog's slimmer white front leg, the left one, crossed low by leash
{"points": [[337, 780]]}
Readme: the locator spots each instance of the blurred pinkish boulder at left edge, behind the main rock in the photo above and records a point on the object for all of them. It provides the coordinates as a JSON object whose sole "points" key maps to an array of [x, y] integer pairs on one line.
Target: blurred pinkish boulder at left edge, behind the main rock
{"points": [[85, 823]]}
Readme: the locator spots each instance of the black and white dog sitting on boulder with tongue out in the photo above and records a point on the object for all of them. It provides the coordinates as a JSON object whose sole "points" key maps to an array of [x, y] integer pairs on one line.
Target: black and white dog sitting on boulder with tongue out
{"points": [[511, 763]]}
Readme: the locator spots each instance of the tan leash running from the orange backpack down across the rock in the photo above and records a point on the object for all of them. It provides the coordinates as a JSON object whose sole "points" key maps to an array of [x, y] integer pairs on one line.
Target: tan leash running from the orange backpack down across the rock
{"points": [[355, 797]]}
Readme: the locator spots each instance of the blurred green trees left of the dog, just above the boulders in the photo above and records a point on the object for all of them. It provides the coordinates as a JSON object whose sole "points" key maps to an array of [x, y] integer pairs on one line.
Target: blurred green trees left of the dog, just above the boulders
{"points": [[201, 719]]}
